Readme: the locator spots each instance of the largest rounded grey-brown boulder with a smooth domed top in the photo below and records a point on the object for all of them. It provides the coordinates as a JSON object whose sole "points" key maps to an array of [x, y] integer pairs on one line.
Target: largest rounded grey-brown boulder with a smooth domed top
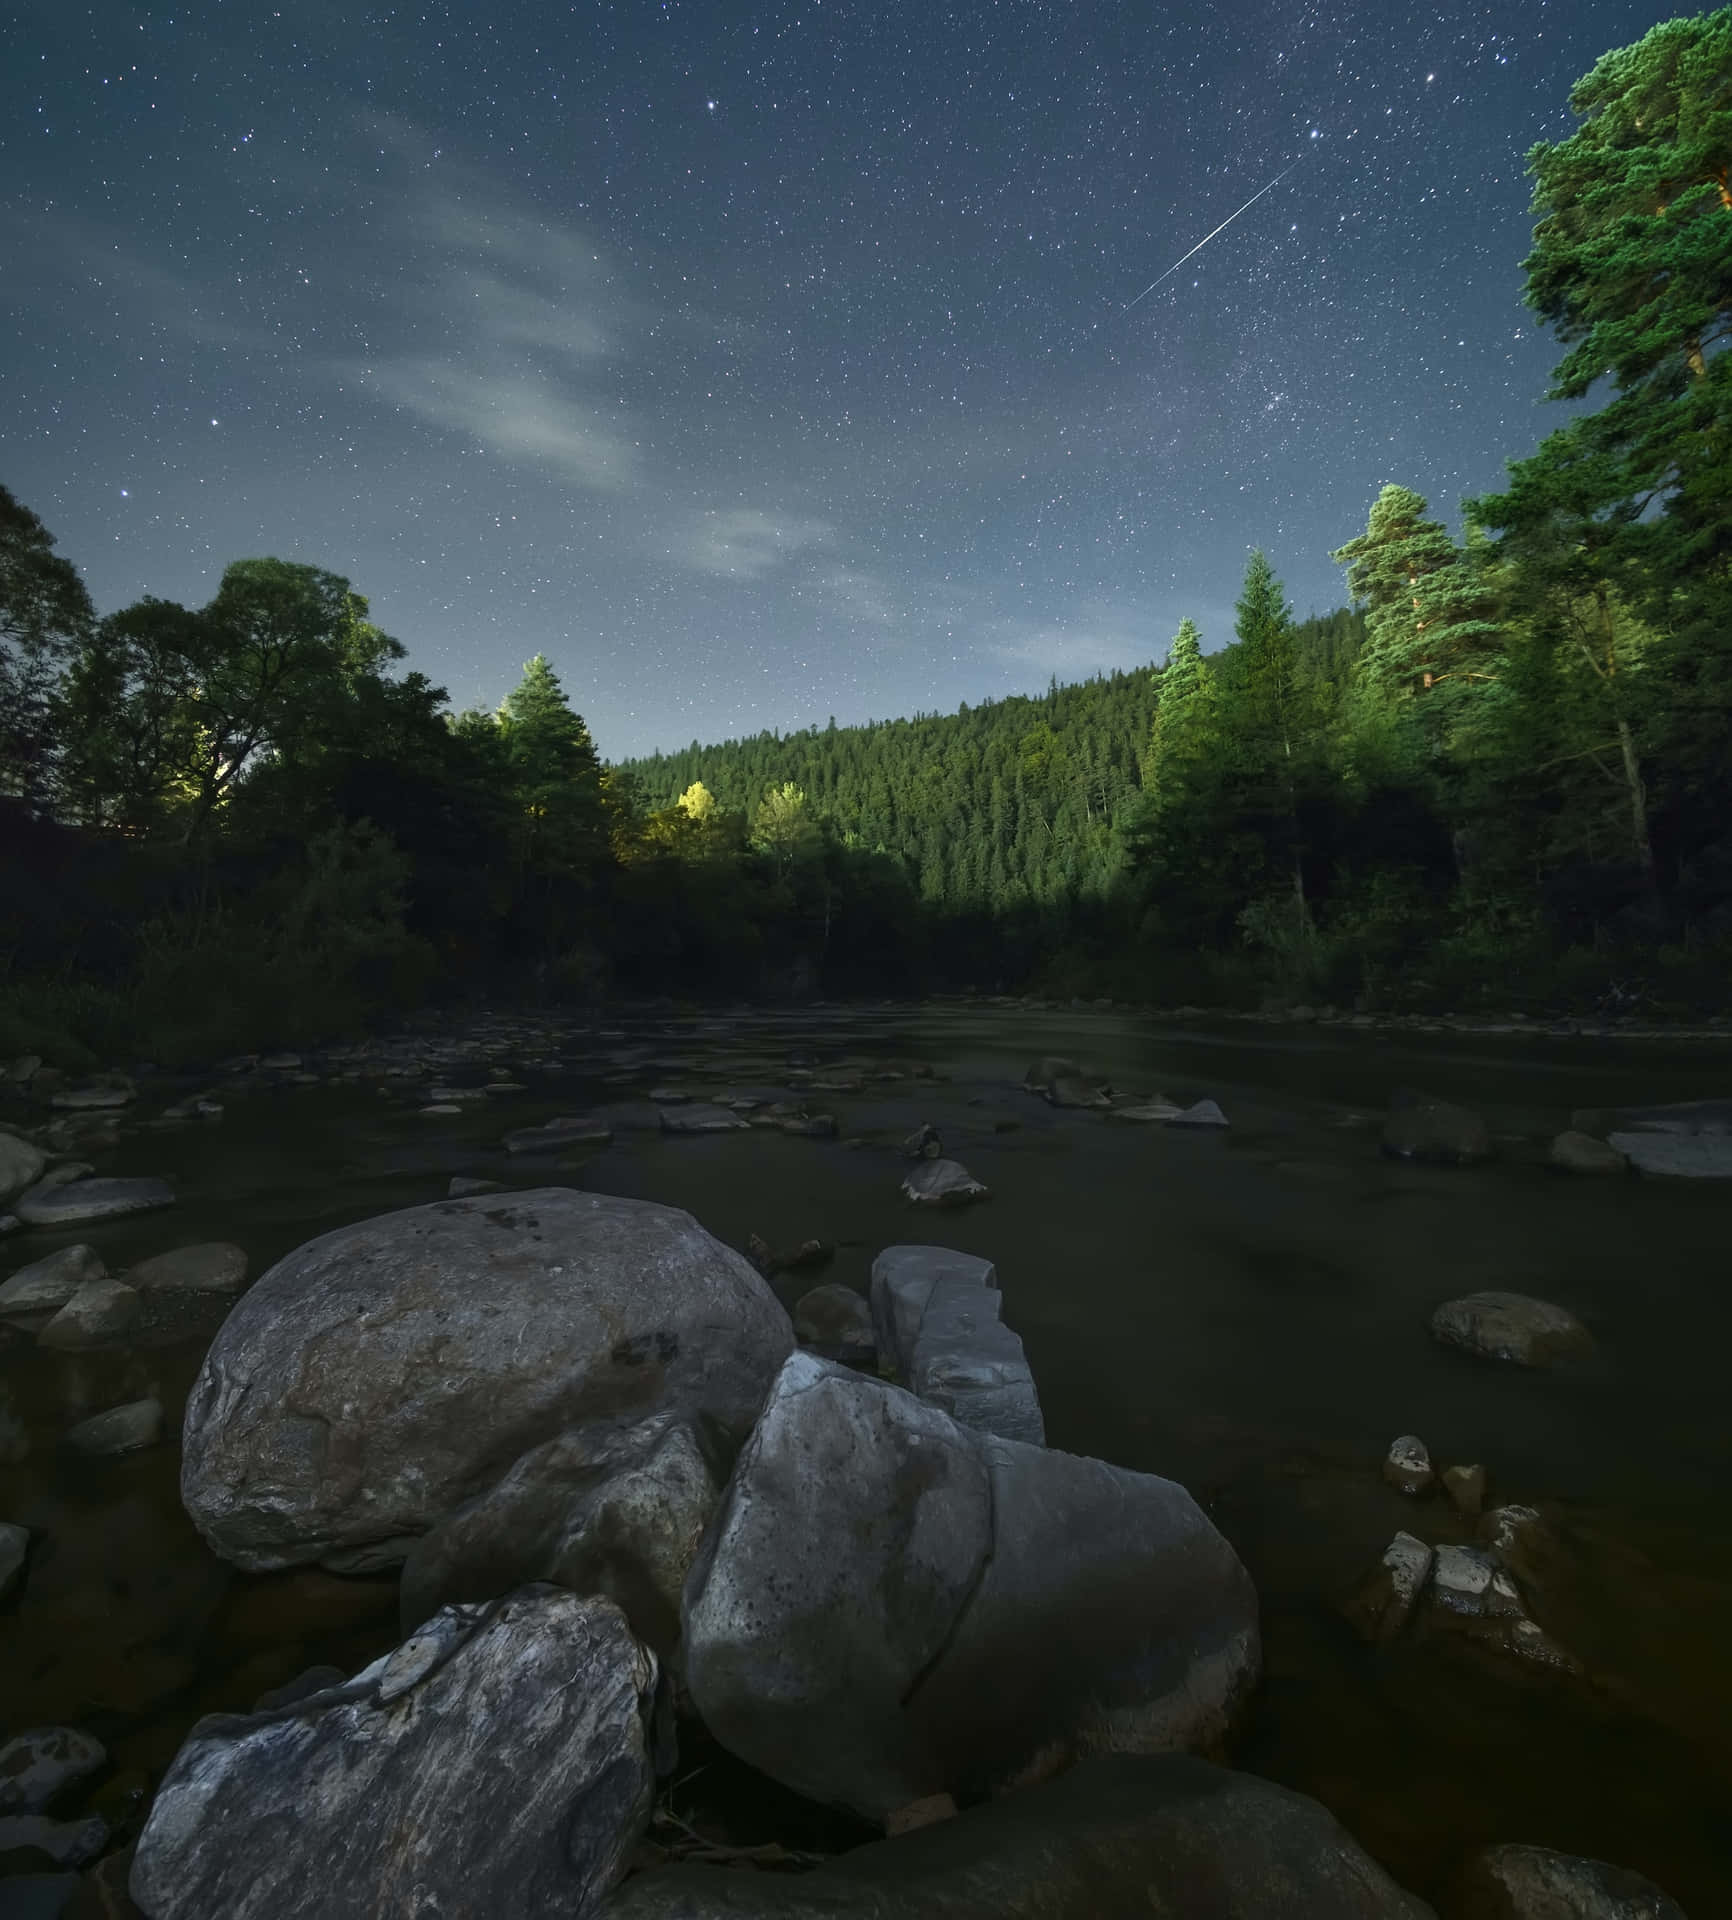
{"points": [[387, 1374]]}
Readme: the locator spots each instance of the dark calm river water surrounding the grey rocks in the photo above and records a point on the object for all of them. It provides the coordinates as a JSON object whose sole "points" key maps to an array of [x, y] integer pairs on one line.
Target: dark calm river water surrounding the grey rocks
{"points": [[1243, 1312]]}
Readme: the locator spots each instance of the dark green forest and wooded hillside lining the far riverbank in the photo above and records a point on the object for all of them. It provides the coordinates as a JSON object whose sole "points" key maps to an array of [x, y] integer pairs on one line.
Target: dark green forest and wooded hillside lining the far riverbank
{"points": [[1503, 777]]}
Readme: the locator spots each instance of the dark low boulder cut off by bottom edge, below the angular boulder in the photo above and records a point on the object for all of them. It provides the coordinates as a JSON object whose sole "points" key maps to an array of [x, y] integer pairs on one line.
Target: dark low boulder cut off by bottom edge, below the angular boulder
{"points": [[1119, 1835]]}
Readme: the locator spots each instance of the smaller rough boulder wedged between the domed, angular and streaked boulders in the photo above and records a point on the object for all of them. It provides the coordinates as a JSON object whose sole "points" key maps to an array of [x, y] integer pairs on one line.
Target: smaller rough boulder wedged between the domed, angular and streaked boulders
{"points": [[619, 1516]]}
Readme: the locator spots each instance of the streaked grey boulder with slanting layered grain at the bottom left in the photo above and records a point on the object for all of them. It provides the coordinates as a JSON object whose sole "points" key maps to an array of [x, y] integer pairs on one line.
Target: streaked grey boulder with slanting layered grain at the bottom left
{"points": [[496, 1764]]}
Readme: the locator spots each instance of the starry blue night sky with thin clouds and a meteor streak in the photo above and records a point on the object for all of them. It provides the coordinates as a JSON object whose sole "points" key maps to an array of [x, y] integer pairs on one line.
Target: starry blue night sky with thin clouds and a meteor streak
{"points": [[763, 364]]}
